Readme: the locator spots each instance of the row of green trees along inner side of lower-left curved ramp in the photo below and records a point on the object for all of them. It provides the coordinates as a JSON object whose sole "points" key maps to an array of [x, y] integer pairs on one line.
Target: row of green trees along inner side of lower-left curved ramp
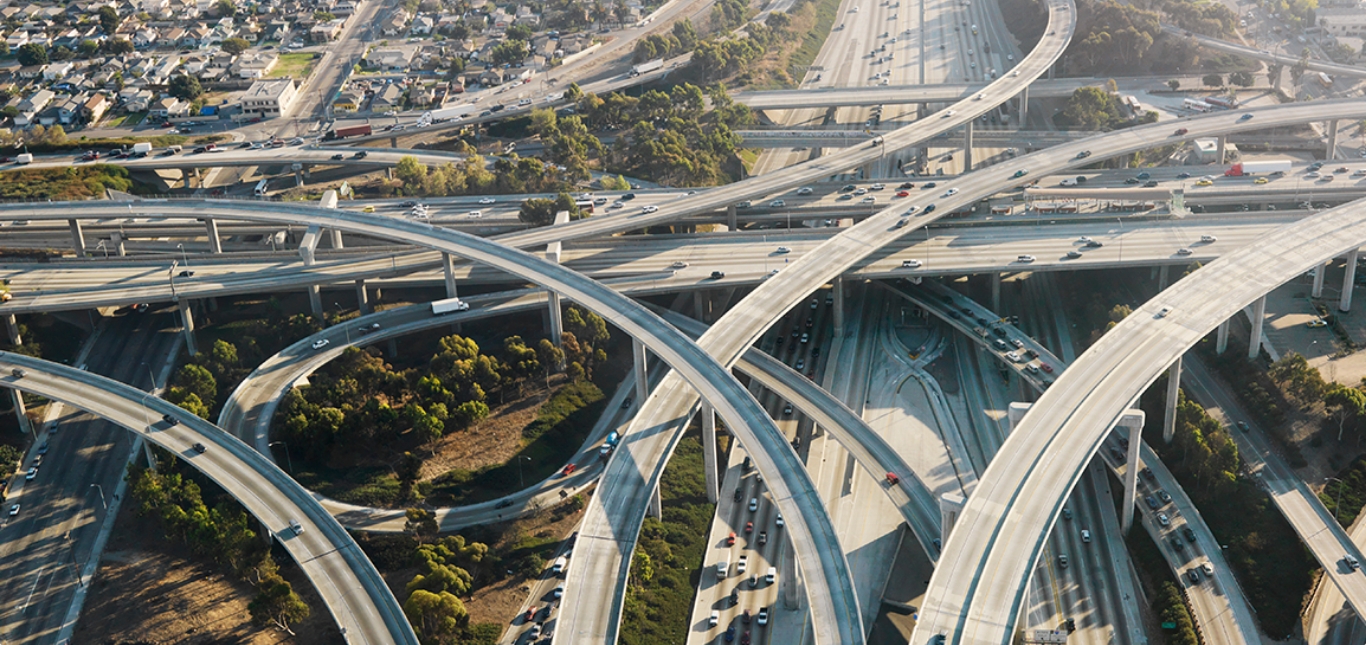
{"points": [[222, 534]]}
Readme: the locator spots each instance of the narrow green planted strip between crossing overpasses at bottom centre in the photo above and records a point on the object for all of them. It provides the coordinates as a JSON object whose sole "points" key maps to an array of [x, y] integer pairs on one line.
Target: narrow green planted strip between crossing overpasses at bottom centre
{"points": [[669, 558]]}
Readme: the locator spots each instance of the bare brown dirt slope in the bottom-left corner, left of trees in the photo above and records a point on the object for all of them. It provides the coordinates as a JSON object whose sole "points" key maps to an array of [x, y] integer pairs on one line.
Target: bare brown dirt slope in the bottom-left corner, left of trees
{"points": [[150, 590]]}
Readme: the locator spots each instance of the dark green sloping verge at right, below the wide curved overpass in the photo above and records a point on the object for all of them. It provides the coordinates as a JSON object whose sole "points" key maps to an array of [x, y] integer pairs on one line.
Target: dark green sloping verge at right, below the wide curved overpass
{"points": [[1267, 555]]}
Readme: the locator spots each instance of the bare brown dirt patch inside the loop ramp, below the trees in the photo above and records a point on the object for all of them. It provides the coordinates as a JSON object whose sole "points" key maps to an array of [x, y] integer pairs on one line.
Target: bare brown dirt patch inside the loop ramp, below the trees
{"points": [[492, 441]]}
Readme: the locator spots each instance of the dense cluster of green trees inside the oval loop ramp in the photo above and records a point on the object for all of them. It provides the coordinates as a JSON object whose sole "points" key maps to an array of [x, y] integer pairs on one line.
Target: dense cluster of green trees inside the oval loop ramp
{"points": [[359, 401]]}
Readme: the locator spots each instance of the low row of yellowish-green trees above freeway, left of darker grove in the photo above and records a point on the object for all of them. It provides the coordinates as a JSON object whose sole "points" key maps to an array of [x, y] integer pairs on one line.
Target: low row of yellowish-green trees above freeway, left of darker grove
{"points": [[473, 177]]}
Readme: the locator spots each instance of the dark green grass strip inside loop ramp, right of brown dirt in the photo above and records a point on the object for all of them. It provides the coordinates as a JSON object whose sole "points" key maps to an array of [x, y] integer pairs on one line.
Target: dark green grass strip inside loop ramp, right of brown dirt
{"points": [[561, 428]]}
